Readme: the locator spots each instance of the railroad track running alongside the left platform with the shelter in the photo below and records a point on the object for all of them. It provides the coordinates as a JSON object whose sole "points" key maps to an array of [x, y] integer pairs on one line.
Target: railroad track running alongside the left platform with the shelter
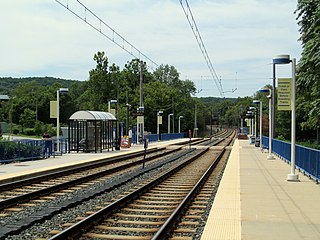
{"points": [[36, 187]]}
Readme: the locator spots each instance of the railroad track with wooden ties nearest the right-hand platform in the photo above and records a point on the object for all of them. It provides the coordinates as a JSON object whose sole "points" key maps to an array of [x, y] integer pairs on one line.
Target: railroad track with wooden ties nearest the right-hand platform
{"points": [[151, 210]]}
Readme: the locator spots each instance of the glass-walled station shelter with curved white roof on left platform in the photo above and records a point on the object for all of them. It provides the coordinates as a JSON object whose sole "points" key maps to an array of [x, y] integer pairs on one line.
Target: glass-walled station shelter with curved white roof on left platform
{"points": [[92, 131]]}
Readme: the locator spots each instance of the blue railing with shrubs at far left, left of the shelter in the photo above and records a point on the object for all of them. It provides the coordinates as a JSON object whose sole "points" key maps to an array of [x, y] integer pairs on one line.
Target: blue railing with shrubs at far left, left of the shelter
{"points": [[26, 149]]}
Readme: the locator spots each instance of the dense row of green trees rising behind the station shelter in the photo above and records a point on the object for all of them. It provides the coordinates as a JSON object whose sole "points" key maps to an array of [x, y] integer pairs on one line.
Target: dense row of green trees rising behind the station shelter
{"points": [[163, 90]]}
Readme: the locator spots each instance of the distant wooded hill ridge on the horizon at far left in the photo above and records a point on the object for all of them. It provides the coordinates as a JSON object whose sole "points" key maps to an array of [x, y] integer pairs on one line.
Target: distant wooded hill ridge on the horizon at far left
{"points": [[9, 83]]}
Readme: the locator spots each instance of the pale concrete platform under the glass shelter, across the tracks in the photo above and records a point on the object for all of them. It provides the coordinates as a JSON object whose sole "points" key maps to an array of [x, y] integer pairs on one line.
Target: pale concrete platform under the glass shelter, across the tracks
{"points": [[12, 170]]}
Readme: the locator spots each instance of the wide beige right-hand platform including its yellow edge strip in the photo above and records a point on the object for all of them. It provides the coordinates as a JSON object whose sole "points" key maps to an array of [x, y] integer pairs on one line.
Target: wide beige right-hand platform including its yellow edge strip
{"points": [[255, 201]]}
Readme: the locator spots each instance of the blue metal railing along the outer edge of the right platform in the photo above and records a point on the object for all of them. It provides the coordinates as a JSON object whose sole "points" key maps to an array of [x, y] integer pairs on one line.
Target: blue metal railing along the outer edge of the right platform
{"points": [[307, 159]]}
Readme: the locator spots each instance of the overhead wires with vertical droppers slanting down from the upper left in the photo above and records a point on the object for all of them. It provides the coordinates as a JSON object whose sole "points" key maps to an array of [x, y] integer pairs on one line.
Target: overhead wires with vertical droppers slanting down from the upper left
{"points": [[85, 14]]}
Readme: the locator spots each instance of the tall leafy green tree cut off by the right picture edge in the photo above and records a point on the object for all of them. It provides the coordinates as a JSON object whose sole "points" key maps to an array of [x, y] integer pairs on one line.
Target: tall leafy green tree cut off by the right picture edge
{"points": [[308, 84]]}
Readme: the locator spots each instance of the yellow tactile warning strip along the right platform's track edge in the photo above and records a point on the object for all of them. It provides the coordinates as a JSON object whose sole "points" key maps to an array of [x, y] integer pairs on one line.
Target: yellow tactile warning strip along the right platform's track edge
{"points": [[224, 221]]}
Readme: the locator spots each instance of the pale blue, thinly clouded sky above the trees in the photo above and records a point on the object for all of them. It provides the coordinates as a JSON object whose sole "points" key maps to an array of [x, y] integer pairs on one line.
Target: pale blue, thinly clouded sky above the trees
{"points": [[42, 38]]}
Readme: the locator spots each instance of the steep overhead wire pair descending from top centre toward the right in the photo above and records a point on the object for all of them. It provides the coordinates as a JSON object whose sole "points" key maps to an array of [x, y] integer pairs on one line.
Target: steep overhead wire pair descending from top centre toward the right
{"points": [[195, 30]]}
